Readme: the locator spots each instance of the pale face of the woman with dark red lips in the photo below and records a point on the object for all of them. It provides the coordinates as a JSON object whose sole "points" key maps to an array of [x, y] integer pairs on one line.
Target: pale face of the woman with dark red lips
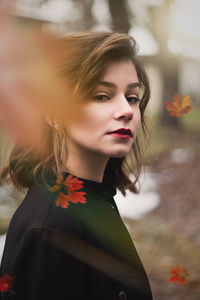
{"points": [[114, 105]]}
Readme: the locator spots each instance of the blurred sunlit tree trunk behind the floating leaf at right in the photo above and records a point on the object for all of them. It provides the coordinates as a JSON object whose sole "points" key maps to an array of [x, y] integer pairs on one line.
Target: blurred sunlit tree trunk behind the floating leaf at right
{"points": [[166, 61]]}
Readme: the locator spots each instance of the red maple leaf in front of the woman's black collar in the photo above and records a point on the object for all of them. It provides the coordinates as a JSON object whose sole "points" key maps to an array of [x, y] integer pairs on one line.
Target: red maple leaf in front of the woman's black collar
{"points": [[71, 185]]}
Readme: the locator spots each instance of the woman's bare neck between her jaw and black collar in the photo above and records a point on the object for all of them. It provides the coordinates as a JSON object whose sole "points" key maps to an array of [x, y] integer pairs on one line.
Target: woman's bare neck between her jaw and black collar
{"points": [[86, 164]]}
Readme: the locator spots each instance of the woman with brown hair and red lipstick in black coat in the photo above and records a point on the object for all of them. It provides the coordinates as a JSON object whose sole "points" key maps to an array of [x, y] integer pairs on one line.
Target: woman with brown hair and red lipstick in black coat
{"points": [[66, 240]]}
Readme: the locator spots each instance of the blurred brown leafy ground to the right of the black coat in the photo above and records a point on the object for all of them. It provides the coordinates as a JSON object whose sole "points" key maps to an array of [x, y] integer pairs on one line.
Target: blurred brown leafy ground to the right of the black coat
{"points": [[169, 236]]}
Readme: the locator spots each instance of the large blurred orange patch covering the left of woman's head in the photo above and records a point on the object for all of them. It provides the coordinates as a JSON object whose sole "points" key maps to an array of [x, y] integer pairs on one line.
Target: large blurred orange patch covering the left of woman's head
{"points": [[30, 86]]}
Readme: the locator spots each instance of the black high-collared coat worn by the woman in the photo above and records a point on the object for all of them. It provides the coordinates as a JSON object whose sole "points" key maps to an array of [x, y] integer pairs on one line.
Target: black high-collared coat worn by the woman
{"points": [[82, 252]]}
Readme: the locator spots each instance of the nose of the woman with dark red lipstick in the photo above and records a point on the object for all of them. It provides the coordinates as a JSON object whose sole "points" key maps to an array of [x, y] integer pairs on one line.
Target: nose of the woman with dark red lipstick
{"points": [[123, 109]]}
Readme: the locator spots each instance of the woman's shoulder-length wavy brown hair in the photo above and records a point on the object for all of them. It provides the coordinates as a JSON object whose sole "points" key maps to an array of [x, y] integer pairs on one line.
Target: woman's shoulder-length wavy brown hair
{"points": [[94, 51]]}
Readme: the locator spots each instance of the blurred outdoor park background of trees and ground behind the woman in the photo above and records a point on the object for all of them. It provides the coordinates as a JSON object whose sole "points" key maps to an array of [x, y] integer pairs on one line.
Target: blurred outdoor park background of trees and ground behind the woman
{"points": [[164, 219]]}
